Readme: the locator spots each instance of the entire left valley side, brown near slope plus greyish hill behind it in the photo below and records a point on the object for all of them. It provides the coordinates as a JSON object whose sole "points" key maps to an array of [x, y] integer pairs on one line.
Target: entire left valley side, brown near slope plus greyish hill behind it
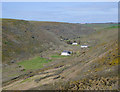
{"points": [[21, 39]]}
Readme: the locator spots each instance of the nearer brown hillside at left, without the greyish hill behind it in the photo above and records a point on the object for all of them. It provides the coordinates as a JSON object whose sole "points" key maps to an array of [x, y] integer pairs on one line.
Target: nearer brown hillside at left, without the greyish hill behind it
{"points": [[21, 39]]}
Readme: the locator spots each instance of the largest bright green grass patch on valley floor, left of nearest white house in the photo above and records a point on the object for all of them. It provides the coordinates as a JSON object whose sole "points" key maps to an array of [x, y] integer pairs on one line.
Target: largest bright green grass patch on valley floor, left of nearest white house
{"points": [[35, 63]]}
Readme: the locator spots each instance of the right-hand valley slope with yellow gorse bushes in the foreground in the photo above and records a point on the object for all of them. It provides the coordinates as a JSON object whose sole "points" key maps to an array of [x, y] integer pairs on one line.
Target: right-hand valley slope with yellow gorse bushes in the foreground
{"points": [[95, 68]]}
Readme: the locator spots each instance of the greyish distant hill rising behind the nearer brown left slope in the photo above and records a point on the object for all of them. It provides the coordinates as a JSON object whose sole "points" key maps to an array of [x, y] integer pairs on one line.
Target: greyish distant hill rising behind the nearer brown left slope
{"points": [[65, 30]]}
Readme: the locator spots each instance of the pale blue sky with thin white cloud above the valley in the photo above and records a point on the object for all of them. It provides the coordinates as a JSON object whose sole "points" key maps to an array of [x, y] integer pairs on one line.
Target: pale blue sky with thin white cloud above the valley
{"points": [[71, 12]]}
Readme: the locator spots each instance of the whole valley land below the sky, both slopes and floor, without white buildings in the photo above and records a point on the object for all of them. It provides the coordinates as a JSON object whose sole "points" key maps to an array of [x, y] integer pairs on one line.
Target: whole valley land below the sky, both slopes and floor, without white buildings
{"points": [[90, 68]]}
